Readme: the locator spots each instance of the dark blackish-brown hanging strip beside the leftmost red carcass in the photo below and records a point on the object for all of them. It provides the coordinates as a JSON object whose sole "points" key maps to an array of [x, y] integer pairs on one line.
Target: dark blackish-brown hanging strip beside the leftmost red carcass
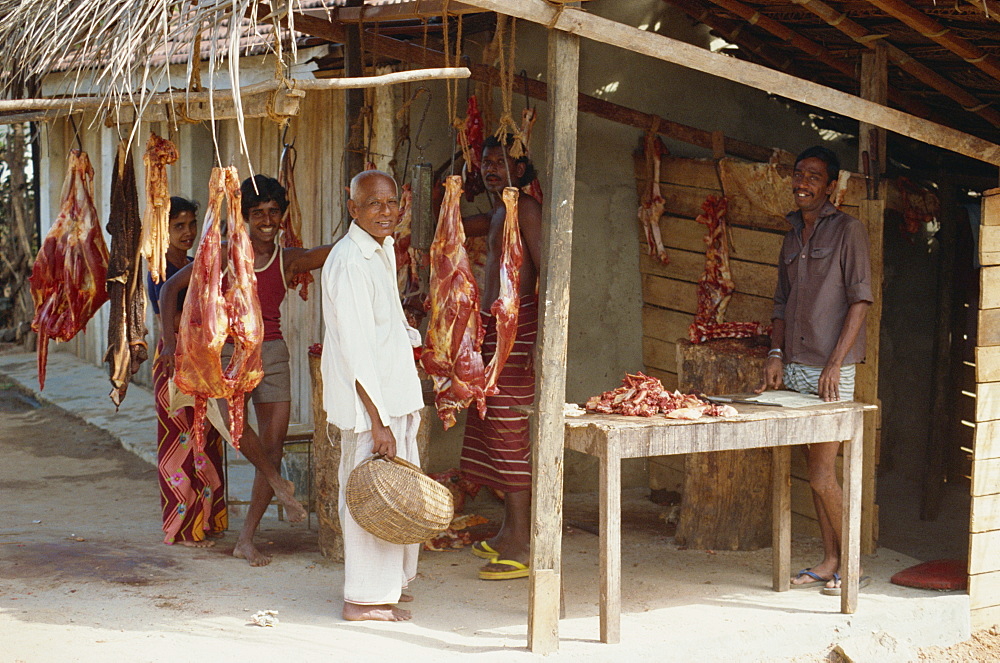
{"points": [[127, 347]]}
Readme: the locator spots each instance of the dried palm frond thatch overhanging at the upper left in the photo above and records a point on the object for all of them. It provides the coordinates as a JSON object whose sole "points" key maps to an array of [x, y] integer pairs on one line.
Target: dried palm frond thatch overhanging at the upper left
{"points": [[121, 50]]}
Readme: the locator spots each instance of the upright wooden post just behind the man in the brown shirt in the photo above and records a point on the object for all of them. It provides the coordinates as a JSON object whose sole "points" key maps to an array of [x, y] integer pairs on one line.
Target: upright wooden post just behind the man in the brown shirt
{"points": [[872, 141]]}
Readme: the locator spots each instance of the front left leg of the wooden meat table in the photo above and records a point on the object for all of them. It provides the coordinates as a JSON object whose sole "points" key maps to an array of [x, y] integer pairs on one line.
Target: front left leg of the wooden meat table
{"points": [[611, 543]]}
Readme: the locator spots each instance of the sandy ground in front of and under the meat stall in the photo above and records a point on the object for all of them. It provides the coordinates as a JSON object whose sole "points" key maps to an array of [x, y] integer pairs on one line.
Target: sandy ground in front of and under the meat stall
{"points": [[84, 577]]}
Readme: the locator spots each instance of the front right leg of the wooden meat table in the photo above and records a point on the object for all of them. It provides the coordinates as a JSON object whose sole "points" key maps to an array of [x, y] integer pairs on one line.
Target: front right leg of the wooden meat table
{"points": [[851, 525]]}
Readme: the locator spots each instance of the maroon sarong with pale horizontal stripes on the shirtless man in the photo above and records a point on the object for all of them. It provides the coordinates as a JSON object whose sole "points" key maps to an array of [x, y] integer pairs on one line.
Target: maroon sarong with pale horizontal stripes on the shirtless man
{"points": [[496, 451]]}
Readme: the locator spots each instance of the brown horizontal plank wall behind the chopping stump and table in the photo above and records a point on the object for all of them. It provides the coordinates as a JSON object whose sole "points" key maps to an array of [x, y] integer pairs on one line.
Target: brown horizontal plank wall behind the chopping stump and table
{"points": [[670, 292]]}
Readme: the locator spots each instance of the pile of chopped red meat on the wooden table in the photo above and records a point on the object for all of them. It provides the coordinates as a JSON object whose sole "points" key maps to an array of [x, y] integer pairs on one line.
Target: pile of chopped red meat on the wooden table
{"points": [[644, 396]]}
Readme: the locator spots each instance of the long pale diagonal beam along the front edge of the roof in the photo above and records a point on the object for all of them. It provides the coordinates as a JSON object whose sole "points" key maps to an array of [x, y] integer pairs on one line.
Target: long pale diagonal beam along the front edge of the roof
{"points": [[693, 57]]}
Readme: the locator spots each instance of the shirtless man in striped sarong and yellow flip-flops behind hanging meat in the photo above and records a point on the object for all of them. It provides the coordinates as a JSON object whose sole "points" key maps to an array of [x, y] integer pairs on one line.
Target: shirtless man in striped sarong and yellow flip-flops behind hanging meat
{"points": [[496, 450]]}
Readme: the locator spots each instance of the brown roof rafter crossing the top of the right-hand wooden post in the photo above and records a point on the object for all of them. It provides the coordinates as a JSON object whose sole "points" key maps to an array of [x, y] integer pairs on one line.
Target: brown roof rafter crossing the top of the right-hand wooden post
{"points": [[921, 72]]}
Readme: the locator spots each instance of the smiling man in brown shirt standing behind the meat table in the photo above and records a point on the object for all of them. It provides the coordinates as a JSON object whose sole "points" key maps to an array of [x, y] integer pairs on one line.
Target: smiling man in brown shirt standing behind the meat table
{"points": [[820, 303]]}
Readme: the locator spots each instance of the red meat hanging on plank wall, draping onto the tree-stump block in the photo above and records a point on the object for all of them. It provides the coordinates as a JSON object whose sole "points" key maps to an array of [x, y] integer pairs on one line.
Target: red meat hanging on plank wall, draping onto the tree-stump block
{"points": [[716, 286]]}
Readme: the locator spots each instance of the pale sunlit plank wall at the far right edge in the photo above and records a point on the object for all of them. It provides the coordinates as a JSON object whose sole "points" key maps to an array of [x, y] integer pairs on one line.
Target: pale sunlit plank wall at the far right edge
{"points": [[984, 523]]}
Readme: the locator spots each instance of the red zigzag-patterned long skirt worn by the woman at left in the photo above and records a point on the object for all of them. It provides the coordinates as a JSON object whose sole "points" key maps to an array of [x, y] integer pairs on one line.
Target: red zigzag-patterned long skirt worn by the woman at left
{"points": [[191, 494]]}
